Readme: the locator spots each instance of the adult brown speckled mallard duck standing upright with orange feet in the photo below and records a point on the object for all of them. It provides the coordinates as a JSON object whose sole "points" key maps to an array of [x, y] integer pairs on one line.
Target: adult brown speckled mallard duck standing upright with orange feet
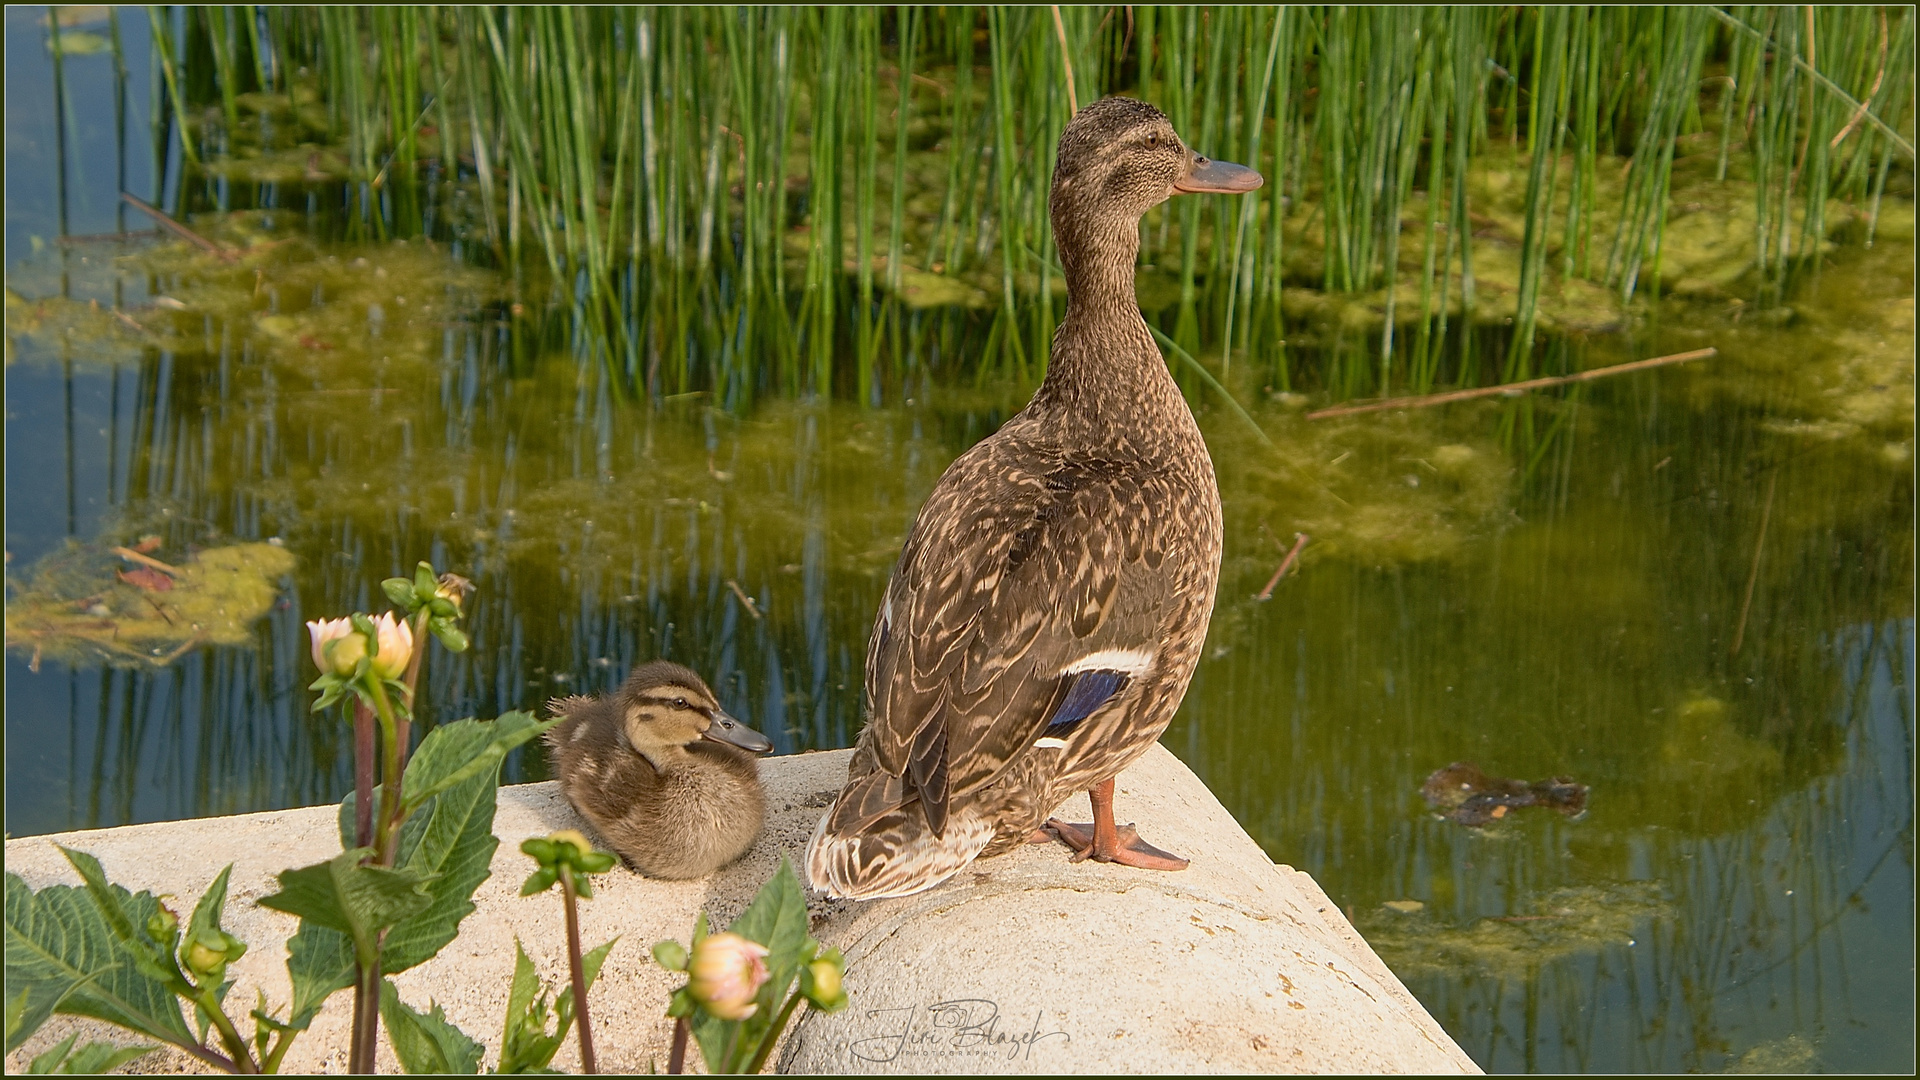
{"points": [[1051, 602]]}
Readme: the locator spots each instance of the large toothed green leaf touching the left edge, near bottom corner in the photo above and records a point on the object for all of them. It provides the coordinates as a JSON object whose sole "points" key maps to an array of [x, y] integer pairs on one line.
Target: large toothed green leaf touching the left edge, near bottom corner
{"points": [[64, 958]]}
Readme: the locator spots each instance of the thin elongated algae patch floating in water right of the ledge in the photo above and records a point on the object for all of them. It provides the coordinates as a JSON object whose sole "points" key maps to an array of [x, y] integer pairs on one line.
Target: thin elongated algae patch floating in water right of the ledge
{"points": [[1566, 923]]}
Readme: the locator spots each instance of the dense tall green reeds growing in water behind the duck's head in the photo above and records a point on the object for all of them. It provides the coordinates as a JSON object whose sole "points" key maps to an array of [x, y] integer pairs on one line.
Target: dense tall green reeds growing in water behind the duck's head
{"points": [[744, 201]]}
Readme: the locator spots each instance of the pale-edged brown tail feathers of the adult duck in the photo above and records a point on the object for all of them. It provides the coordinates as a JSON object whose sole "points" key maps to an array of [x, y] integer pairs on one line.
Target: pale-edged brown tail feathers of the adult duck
{"points": [[869, 850]]}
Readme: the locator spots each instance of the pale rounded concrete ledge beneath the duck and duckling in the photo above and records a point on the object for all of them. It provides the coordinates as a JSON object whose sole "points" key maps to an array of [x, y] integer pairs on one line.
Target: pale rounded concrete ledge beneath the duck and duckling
{"points": [[1024, 964]]}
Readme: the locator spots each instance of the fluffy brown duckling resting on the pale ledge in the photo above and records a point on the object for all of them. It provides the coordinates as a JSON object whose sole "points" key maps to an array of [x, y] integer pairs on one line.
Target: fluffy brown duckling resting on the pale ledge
{"points": [[661, 772]]}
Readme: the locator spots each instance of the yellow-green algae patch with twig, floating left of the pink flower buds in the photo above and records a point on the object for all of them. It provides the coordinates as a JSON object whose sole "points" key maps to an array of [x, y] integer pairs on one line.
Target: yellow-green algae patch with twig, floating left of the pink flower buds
{"points": [[114, 606]]}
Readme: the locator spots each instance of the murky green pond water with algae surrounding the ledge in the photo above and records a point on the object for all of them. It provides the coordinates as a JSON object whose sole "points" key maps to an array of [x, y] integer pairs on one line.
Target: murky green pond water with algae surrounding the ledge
{"points": [[1687, 589]]}
